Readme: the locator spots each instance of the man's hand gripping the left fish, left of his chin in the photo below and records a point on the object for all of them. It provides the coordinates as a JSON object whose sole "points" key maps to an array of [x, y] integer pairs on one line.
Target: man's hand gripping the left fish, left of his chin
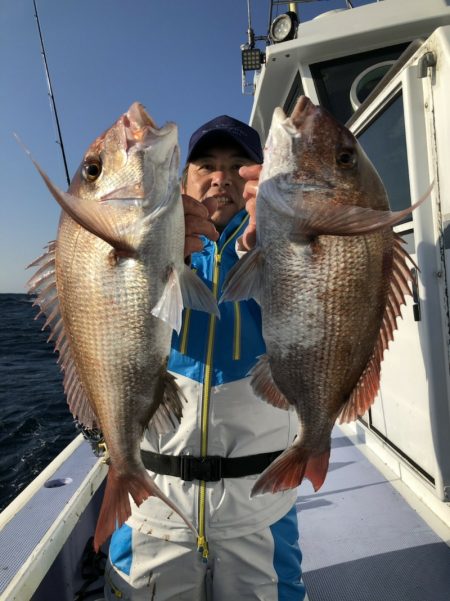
{"points": [[197, 223]]}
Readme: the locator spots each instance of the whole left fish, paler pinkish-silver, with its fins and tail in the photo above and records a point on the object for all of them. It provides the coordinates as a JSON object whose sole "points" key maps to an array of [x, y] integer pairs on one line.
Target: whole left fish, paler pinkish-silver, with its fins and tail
{"points": [[113, 286]]}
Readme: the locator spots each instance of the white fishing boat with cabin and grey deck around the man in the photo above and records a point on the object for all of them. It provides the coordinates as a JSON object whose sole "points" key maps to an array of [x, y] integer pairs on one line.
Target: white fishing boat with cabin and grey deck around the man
{"points": [[379, 528]]}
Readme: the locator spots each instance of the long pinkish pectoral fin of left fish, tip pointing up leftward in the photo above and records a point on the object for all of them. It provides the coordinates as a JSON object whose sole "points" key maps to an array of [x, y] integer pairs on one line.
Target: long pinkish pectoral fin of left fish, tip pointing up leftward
{"points": [[98, 218]]}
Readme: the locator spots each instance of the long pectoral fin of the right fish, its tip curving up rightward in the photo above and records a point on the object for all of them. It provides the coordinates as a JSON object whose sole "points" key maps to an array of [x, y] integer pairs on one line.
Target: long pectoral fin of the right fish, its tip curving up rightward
{"points": [[345, 220]]}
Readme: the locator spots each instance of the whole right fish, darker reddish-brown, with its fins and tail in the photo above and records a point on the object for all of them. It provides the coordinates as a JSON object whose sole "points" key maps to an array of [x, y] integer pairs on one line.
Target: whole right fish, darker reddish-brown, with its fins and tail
{"points": [[330, 276]]}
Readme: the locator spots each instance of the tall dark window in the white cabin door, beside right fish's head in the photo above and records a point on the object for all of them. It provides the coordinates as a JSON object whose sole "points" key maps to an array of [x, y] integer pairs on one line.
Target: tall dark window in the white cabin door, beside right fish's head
{"points": [[384, 142]]}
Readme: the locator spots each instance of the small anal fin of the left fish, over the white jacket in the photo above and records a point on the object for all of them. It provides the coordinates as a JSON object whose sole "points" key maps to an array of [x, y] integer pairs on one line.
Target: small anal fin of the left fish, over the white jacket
{"points": [[170, 410]]}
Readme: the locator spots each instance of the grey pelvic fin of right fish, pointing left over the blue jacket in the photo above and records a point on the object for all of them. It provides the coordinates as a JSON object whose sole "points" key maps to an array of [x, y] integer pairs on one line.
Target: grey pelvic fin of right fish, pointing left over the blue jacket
{"points": [[245, 278]]}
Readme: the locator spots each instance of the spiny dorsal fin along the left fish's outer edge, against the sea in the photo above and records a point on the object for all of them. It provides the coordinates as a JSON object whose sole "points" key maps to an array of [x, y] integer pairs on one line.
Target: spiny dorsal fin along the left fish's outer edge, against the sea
{"points": [[43, 284]]}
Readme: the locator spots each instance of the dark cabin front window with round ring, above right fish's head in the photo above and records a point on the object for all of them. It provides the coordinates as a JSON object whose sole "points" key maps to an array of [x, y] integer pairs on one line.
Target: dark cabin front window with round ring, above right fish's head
{"points": [[333, 79]]}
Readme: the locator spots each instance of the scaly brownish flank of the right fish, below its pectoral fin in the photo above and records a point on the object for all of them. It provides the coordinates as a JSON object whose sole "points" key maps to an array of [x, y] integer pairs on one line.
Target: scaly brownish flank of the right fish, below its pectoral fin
{"points": [[301, 356]]}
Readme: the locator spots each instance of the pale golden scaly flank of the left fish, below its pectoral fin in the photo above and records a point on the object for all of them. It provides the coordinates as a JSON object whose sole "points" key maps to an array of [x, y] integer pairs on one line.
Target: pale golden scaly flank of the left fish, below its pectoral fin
{"points": [[103, 304]]}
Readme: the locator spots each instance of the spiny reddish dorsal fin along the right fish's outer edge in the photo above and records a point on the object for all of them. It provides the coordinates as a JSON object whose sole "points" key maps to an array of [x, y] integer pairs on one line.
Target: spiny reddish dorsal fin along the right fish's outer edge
{"points": [[366, 389]]}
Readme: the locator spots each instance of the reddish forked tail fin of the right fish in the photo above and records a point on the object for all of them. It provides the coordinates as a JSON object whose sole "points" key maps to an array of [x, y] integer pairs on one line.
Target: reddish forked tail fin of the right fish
{"points": [[289, 469]]}
